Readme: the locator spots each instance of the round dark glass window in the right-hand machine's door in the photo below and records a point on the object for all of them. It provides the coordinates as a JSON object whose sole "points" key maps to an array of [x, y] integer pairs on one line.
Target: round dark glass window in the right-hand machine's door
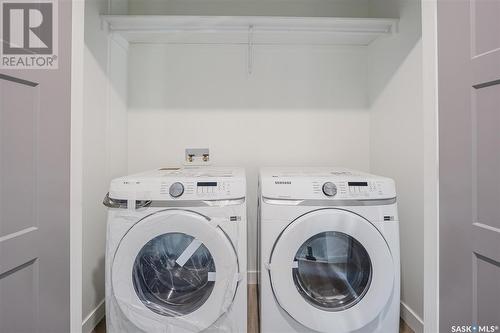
{"points": [[332, 271]]}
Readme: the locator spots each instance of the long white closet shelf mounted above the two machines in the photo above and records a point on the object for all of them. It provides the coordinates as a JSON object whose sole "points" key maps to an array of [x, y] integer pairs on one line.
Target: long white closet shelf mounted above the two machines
{"points": [[242, 29]]}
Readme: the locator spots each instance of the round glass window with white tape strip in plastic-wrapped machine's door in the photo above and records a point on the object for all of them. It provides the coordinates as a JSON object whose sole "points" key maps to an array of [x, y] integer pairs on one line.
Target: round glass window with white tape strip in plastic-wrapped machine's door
{"points": [[172, 274]]}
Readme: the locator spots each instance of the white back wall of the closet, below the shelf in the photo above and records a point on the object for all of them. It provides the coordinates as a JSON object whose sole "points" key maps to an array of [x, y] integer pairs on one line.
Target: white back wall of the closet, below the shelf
{"points": [[302, 105]]}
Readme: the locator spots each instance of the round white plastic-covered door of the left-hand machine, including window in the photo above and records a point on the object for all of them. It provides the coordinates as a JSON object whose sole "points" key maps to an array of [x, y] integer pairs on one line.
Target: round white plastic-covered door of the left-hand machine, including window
{"points": [[174, 270]]}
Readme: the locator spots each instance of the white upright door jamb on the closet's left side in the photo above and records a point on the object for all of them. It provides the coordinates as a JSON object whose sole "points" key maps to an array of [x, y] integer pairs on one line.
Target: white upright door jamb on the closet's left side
{"points": [[76, 174]]}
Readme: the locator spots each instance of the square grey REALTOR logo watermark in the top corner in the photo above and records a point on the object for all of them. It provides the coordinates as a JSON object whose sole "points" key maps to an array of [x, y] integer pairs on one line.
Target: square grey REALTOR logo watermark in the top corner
{"points": [[29, 34]]}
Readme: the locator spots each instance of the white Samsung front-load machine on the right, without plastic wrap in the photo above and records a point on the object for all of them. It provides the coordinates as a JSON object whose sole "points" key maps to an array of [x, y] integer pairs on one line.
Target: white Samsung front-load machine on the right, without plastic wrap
{"points": [[329, 251]]}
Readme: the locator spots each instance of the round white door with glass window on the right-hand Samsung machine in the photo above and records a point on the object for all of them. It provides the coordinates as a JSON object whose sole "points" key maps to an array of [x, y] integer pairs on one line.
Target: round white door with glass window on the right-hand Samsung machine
{"points": [[332, 268]]}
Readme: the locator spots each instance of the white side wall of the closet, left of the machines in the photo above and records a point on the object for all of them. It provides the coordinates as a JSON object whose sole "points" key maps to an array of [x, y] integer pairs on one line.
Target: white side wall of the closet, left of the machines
{"points": [[104, 150]]}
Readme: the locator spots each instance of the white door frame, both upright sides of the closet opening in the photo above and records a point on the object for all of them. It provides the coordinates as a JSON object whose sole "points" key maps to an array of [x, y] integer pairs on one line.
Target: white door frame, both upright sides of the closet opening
{"points": [[431, 165]]}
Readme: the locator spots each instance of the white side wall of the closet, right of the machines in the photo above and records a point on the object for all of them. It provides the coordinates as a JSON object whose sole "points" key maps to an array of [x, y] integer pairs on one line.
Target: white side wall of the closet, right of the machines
{"points": [[397, 141]]}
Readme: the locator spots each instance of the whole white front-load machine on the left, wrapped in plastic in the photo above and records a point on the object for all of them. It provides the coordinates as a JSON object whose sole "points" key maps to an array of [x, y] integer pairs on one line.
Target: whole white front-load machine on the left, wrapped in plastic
{"points": [[176, 251]]}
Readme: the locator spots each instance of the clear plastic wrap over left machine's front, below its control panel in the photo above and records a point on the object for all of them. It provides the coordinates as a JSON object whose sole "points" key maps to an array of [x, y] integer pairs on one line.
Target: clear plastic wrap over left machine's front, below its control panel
{"points": [[176, 270]]}
